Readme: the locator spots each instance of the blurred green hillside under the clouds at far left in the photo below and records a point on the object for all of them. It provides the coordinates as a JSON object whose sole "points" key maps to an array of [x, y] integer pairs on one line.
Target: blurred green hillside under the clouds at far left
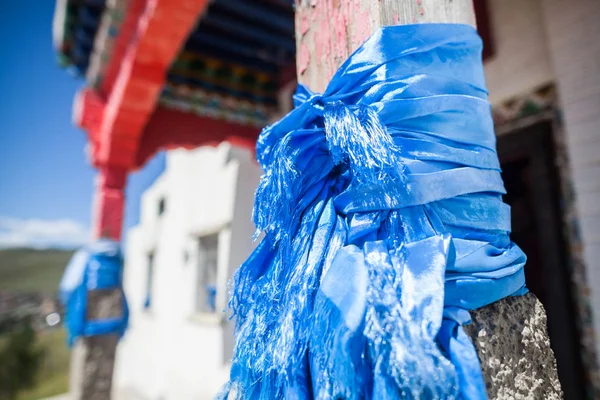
{"points": [[30, 270]]}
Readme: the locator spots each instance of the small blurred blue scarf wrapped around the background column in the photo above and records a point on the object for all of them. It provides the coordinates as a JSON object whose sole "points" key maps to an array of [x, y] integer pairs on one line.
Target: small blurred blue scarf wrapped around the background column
{"points": [[98, 266]]}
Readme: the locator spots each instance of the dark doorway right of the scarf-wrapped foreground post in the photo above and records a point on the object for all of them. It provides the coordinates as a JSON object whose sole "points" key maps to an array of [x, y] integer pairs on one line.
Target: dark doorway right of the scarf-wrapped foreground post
{"points": [[532, 185]]}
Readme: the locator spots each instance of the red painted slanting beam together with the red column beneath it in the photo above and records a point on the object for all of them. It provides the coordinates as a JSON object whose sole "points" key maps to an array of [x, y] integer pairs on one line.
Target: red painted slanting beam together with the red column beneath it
{"points": [[115, 117]]}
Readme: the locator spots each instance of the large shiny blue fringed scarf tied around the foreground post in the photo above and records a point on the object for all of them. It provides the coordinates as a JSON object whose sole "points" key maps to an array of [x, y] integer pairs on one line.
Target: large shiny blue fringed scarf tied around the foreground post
{"points": [[381, 204]]}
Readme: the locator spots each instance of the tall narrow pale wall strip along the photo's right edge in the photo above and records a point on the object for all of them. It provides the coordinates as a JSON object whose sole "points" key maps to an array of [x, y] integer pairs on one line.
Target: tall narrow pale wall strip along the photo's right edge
{"points": [[573, 31]]}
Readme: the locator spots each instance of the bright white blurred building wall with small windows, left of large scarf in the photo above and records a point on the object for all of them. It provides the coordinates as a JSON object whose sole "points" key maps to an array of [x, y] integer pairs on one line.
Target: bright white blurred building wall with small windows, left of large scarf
{"points": [[169, 352]]}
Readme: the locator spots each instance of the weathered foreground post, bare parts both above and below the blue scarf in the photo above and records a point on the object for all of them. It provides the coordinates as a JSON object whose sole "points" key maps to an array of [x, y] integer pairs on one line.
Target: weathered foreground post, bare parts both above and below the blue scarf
{"points": [[510, 336]]}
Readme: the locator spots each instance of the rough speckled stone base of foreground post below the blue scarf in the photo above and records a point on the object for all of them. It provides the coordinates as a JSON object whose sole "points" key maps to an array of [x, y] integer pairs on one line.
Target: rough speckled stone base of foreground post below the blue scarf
{"points": [[514, 349]]}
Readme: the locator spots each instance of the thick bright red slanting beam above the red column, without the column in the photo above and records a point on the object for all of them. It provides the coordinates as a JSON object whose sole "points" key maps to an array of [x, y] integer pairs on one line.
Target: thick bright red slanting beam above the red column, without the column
{"points": [[162, 29]]}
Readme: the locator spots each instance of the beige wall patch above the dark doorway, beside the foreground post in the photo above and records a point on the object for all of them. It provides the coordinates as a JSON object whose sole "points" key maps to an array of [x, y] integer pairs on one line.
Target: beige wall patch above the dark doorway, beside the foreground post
{"points": [[521, 61]]}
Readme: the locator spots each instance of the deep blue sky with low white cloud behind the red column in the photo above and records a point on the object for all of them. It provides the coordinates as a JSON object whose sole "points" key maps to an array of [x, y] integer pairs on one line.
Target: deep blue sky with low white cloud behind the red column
{"points": [[46, 182]]}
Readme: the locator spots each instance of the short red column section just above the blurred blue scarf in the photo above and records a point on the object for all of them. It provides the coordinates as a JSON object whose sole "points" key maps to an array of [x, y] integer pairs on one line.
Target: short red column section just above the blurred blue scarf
{"points": [[109, 204]]}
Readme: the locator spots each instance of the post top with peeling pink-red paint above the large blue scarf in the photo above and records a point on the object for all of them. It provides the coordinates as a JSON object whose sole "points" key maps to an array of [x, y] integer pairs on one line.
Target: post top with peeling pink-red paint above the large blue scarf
{"points": [[328, 31]]}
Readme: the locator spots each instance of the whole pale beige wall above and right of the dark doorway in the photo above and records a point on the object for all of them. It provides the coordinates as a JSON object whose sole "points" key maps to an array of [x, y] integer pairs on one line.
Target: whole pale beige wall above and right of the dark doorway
{"points": [[541, 41]]}
